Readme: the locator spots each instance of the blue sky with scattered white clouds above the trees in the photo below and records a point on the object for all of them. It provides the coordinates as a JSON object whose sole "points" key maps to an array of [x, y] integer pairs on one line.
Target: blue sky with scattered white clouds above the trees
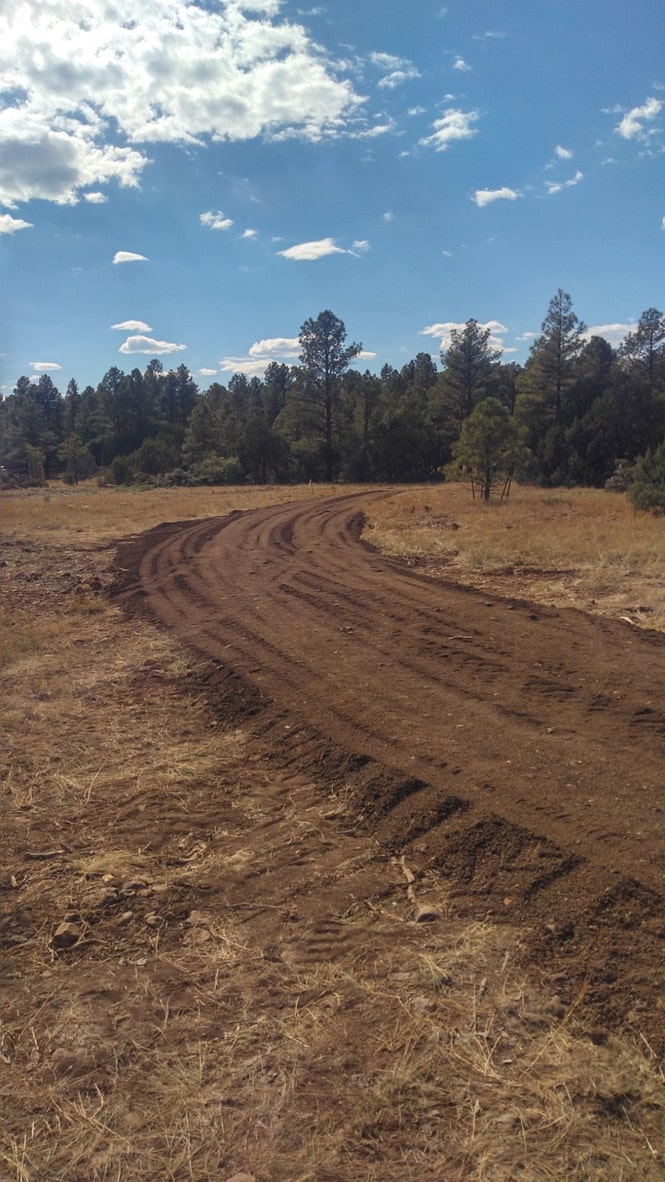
{"points": [[193, 181]]}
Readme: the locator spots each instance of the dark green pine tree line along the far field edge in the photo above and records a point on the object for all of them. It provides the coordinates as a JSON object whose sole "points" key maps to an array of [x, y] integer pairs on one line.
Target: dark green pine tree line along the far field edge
{"points": [[579, 412]]}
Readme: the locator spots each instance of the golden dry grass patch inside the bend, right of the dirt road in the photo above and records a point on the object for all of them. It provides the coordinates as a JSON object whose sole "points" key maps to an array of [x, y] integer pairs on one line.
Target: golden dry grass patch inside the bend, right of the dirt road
{"points": [[575, 548]]}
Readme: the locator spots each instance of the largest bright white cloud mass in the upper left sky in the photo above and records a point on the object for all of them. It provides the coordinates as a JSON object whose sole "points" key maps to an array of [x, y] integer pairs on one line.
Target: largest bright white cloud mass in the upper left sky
{"points": [[88, 88]]}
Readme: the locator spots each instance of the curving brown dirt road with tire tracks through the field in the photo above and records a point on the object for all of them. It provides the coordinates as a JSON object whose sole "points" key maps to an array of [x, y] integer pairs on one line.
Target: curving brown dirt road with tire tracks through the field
{"points": [[518, 750]]}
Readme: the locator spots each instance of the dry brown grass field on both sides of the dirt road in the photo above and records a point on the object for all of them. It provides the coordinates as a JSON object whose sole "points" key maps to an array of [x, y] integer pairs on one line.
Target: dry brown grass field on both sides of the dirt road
{"points": [[207, 973]]}
